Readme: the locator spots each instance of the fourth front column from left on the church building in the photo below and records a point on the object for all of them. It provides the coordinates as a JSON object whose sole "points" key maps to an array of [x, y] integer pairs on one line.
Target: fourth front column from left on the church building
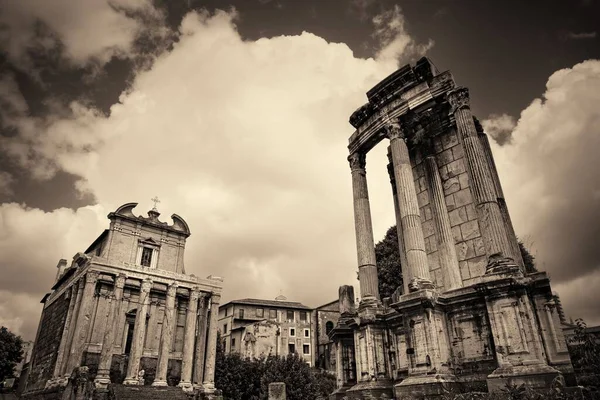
{"points": [[166, 337]]}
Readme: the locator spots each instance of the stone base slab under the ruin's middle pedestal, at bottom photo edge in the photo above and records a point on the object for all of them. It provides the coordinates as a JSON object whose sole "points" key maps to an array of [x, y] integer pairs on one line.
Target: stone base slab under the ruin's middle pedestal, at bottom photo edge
{"points": [[427, 387]]}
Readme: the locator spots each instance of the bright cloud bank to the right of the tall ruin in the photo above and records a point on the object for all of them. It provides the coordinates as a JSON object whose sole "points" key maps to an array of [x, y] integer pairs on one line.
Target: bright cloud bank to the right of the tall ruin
{"points": [[550, 176]]}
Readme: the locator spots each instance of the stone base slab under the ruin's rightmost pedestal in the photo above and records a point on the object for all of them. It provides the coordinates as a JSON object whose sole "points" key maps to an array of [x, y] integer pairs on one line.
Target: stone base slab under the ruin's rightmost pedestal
{"points": [[536, 376]]}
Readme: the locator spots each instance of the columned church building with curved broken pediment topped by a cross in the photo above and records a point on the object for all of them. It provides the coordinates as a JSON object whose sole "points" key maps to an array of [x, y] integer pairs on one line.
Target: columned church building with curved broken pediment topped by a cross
{"points": [[126, 309]]}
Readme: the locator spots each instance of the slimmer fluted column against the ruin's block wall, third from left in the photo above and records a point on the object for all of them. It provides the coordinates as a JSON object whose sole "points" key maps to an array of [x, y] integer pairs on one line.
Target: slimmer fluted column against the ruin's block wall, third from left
{"points": [[446, 248]]}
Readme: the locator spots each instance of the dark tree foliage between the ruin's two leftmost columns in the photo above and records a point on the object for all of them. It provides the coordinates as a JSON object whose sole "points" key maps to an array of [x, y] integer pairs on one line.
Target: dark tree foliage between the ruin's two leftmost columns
{"points": [[389, 270]]}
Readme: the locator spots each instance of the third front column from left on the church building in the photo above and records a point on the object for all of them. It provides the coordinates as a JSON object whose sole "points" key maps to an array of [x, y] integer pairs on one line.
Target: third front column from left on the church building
{"points": [[139, 332]]}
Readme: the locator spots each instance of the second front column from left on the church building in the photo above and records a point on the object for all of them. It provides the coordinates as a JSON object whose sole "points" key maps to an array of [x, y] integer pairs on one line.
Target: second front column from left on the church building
{"points": [[103, 376]]}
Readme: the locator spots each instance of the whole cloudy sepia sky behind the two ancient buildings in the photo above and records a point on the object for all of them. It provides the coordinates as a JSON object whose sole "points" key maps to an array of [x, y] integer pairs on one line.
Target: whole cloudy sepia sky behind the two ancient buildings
{"points": [[235, 114]]}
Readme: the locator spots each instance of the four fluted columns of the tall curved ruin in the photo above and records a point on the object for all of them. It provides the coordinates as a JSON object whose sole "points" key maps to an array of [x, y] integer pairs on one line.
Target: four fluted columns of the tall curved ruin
{"points": [[411, 241]]}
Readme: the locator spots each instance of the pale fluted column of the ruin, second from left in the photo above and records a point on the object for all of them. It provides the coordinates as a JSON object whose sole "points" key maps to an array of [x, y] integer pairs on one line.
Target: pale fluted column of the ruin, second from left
{"points": [[417, 270]]}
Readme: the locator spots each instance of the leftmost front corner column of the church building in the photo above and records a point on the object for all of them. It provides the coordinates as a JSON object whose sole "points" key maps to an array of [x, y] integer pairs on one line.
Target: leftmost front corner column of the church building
{"points": [[84, 319]]}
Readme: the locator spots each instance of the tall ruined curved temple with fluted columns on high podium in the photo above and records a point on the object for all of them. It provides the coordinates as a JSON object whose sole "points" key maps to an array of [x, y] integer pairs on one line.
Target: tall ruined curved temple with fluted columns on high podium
{"points": [[469, 316]]}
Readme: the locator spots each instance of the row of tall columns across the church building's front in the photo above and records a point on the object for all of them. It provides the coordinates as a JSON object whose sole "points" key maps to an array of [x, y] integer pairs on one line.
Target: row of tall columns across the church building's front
{"points": [[196, 370]]}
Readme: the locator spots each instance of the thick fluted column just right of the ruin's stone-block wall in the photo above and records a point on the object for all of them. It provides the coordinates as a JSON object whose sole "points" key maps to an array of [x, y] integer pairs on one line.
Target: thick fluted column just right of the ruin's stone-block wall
{"points": [[482, 184]]}
